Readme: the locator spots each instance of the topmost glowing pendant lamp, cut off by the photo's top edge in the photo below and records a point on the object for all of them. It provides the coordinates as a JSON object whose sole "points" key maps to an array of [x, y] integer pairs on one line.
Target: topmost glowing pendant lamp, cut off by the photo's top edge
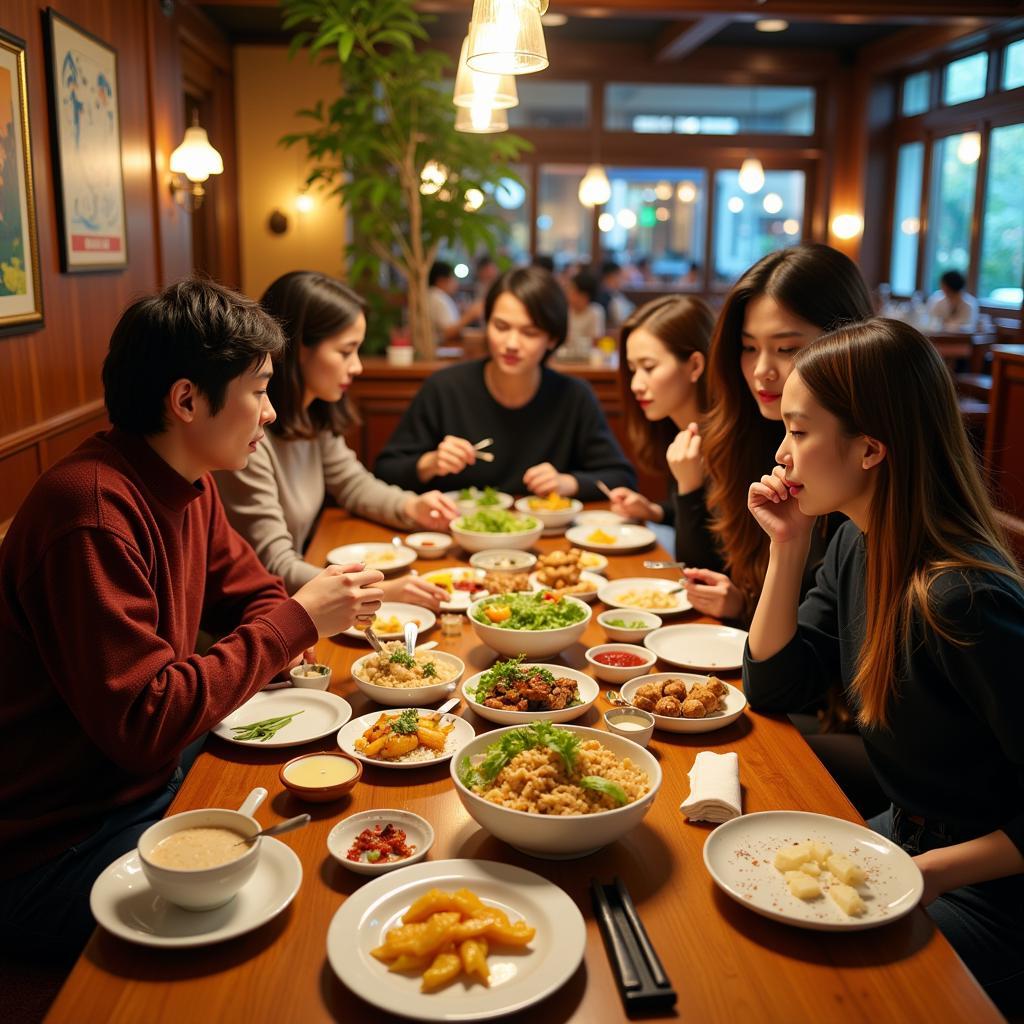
{"points": [[506, 37]]}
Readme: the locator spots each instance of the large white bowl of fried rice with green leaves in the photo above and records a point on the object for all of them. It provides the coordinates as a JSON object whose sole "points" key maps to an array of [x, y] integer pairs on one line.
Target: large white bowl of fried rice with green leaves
{"points": [[557, 792]]}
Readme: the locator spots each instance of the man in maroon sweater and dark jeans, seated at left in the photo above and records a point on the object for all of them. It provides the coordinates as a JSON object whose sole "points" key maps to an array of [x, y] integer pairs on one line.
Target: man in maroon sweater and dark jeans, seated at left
{"points": [[116, 560]]}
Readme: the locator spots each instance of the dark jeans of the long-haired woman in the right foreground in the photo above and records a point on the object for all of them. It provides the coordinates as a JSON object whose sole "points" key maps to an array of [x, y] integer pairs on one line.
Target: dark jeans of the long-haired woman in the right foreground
{"points": [[984, 923]]}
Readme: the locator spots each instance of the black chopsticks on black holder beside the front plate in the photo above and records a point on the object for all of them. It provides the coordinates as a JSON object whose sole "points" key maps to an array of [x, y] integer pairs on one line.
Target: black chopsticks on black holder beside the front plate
{"points": [[643, 983]]}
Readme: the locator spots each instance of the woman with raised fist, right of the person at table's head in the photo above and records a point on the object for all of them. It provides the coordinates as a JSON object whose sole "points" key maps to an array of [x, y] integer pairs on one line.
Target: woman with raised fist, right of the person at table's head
{"points": [[663, 356]]}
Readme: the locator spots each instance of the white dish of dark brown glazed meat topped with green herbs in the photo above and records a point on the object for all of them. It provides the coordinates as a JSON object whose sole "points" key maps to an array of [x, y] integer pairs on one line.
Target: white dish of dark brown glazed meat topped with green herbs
{"points": [[510, 693]]}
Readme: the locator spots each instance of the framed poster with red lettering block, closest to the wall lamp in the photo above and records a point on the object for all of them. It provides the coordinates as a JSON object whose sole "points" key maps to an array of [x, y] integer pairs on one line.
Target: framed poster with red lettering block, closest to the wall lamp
{"points": [[87, 129]]}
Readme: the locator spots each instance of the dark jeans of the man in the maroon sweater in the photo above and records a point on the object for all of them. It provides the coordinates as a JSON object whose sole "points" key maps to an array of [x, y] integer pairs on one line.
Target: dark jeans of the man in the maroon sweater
{"points": [[45, 913]]}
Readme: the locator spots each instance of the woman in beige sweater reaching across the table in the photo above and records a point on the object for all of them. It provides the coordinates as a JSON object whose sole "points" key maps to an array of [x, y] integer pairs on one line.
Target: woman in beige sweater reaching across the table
{"points": [[276, 500]]}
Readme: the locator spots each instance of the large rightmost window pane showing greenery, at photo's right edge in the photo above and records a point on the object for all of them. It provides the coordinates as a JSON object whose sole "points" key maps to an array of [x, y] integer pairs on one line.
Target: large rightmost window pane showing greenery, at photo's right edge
{"points": [[1003, 228]]}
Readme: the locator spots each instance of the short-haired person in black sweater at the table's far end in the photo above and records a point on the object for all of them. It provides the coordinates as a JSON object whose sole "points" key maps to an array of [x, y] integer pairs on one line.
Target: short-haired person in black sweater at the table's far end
{"points": [[549, 433]]}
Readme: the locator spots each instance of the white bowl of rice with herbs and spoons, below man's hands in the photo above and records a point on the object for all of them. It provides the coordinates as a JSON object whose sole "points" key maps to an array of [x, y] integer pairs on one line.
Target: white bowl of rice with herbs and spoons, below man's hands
{"points": [[400, 685]]}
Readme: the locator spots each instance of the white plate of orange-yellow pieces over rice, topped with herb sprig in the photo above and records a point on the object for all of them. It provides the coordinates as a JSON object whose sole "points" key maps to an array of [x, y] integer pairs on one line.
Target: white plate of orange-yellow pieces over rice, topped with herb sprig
{"points": [[407, 738]]}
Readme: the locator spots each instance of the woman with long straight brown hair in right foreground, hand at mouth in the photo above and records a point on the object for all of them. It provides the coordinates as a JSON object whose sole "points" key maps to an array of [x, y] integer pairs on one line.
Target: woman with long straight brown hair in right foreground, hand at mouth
{"points": [[918, 612]]}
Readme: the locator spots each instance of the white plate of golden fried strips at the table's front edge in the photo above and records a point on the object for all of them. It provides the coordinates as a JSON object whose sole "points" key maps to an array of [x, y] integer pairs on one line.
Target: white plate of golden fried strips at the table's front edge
{"points": [[456, 941]]}
